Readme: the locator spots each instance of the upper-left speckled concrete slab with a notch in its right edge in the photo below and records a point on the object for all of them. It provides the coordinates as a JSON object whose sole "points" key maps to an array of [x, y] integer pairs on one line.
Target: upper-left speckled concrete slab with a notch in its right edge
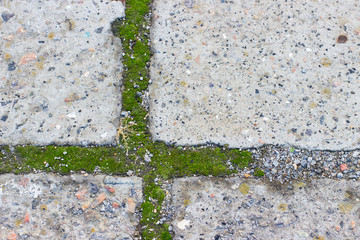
{"points": [[60, 72]]}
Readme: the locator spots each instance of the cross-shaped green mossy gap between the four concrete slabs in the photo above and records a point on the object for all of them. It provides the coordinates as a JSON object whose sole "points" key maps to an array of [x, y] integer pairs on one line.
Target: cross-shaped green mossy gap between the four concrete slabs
{"points": [[135, 154]]}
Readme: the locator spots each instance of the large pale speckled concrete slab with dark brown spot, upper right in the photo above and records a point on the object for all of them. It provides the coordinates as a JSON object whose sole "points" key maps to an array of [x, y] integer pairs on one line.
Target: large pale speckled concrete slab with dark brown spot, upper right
{"points": [[248, 73]]}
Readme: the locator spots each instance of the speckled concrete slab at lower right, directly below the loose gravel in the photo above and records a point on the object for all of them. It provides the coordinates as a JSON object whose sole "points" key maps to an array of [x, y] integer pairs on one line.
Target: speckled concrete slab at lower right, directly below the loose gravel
{"points": [[233, 208]]}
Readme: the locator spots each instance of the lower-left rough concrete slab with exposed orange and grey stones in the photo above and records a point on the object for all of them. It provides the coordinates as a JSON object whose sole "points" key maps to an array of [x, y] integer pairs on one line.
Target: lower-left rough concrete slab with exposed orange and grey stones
{"points": [[47, 206]]}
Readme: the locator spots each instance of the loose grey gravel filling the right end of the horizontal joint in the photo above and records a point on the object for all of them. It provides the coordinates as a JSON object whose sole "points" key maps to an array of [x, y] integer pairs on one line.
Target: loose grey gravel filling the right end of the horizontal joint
{"points": [[283, 164]]}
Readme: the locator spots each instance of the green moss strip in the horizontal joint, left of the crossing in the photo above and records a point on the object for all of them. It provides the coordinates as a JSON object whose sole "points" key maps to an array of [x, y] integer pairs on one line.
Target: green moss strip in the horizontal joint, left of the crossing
{"points": [[67, 159]]}
